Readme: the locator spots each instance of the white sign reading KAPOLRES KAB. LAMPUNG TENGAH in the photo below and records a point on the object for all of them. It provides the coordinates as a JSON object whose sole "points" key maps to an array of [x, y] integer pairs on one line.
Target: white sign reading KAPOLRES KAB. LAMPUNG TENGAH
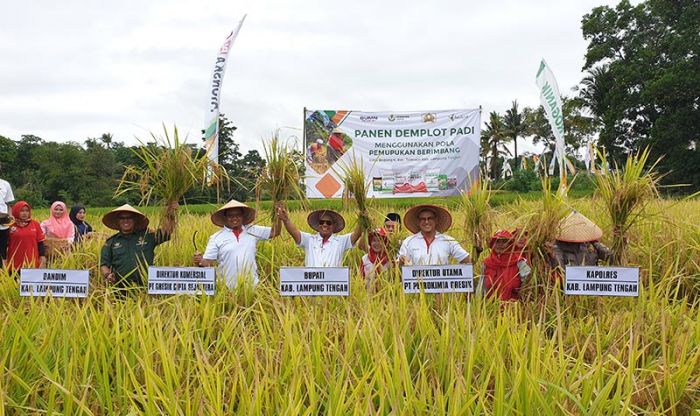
{"points": [[602, 281]]}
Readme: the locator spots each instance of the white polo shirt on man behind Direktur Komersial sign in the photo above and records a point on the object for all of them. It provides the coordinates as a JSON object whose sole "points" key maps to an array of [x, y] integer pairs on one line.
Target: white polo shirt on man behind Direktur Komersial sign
{"points": [[236, 255]]}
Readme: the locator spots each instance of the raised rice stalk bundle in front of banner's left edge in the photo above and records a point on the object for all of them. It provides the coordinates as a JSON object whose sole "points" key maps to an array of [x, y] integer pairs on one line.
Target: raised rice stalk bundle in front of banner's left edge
{"points": [[280, 177]]}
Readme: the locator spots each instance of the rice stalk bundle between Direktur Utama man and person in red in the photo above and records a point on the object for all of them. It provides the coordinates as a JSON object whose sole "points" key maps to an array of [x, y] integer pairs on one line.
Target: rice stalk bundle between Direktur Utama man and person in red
{"points": [[478, 215]]}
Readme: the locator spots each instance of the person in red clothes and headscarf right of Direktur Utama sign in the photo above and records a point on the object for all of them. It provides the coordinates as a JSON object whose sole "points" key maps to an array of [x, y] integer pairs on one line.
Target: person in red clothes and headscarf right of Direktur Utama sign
{"points": [[504, 270]]}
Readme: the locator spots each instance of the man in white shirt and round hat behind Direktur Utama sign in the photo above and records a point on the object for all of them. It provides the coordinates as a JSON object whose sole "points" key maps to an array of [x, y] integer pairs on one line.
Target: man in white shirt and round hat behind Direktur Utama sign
{"points": [[428, 246]]}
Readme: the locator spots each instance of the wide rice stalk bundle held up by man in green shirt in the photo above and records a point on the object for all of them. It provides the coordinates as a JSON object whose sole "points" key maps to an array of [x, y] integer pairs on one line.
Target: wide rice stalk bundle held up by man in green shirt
{"points": [[167, 170]]}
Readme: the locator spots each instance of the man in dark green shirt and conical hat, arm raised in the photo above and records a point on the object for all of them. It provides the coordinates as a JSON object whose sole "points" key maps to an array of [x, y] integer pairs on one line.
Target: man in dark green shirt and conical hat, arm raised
{"points": [[126, 254]]}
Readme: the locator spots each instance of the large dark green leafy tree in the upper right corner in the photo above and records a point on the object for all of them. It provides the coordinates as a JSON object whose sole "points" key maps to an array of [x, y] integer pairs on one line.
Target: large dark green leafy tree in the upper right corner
{"points": [[643, 84]]}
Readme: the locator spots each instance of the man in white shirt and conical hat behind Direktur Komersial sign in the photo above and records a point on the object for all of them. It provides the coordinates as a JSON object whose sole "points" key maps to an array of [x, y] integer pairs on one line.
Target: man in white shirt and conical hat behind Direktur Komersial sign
{"points": [[233, 247]]}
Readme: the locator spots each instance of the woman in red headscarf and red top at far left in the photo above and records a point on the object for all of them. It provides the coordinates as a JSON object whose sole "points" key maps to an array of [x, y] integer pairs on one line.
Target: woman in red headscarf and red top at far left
{"points": [[26, 240]]}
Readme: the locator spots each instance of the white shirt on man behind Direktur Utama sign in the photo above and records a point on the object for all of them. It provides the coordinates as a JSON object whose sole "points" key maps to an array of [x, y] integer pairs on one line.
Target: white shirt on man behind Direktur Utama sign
{"points": [[437, 253]]}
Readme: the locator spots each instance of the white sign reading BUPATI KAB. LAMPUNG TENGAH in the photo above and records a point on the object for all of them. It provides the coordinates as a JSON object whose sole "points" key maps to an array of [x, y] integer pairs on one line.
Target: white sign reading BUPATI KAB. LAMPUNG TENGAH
{"points": [[314, 281]]}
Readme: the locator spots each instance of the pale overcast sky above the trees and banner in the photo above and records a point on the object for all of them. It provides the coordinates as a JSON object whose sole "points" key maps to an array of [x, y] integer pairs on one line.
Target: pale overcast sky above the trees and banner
{"points": [[76, 69]]}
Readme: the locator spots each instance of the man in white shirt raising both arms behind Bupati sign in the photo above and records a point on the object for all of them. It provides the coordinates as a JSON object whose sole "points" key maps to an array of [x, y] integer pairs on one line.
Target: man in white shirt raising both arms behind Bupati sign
{"points": [[326, 248]]}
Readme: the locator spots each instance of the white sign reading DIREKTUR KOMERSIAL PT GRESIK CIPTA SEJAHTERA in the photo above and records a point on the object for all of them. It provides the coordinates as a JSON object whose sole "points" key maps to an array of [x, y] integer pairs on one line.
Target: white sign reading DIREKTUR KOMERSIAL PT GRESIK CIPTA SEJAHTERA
{"points": [[181, 280]]}
